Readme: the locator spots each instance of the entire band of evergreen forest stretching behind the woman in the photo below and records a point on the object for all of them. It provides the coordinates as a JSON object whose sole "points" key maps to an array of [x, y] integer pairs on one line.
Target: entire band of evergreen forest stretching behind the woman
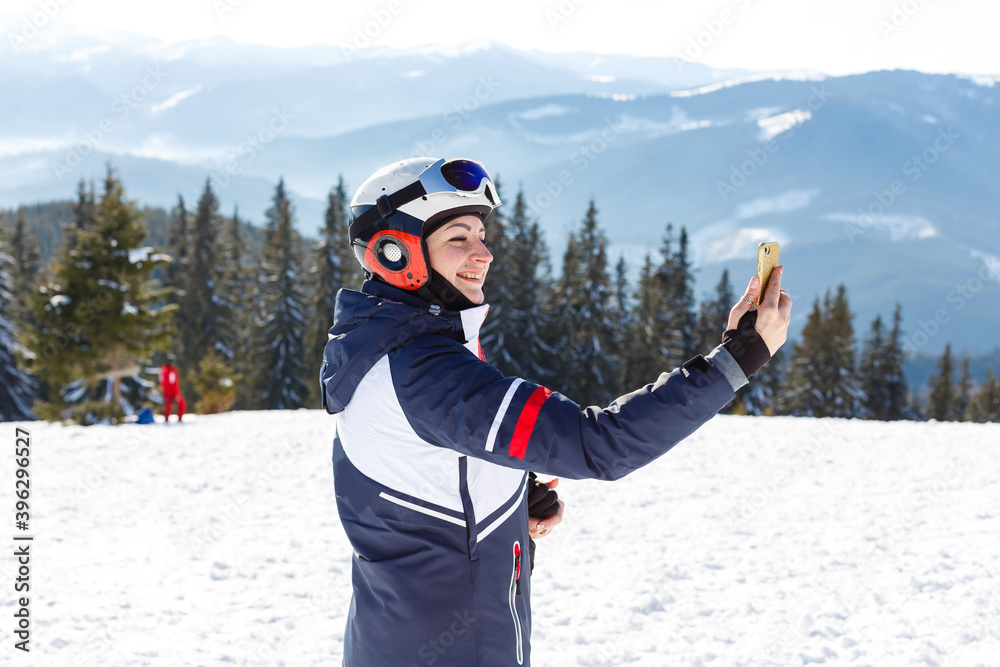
{"points": [[95, 290]]}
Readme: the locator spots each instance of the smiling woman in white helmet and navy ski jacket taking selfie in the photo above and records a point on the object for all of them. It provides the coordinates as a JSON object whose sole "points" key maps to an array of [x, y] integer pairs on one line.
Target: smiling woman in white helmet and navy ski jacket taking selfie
{"points": [[433, 444]]}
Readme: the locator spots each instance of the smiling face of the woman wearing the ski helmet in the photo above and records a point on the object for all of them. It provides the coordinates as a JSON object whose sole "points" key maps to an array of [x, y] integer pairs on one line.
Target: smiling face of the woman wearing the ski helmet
{"points": [[458, 252]]}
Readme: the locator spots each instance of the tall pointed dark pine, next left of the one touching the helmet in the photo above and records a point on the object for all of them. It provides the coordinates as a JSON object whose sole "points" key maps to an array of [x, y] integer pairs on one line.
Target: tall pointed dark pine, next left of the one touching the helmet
{"points": [[281, 346]]}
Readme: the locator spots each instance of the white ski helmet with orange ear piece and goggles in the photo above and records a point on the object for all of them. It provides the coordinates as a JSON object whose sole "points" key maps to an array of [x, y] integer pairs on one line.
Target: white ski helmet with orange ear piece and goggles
{"points": [[401, 204]]}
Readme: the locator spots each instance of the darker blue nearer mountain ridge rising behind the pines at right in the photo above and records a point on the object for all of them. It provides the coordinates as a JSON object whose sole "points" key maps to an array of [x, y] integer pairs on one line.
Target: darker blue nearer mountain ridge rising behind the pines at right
{"points": [[812, 164]]}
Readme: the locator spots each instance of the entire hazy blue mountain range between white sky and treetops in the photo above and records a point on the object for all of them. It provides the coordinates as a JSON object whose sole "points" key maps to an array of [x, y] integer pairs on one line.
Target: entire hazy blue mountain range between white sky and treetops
{"points": [[809, 161]]}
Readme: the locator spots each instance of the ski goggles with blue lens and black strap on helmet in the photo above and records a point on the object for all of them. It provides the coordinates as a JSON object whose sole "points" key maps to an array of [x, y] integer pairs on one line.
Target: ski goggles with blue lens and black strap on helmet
{"points": [[465, 178]]}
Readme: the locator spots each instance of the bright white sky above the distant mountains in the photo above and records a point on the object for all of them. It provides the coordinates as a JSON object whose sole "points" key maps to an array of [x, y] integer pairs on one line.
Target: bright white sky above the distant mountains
{"points": [[835, 38]]}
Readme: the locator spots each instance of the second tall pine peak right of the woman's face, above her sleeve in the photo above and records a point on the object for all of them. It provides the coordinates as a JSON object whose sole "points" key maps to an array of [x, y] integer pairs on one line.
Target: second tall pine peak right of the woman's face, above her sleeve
{"points": [[590, 366]]}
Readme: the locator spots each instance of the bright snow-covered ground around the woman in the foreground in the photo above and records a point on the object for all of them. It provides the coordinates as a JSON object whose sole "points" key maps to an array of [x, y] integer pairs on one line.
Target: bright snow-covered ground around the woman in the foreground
{"points": [[780, 541]]}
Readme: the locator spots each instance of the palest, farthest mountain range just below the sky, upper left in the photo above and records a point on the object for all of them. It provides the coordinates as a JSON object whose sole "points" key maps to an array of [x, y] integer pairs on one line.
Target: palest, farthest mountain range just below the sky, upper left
{"points": [[207, 96]]}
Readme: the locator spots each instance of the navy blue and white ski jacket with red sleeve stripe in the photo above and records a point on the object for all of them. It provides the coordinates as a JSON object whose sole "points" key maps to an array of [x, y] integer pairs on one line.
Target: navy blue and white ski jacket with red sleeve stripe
{"points": [[430, 457]]}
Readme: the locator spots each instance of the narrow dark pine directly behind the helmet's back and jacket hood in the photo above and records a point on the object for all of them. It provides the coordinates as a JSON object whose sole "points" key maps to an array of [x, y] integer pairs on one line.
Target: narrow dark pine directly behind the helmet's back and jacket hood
{"points": [[334, 267]]}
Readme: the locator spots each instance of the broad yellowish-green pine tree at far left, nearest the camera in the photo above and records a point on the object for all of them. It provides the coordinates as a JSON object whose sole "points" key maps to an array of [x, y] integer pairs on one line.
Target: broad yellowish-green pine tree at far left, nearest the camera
{"points": [[100, 317]]}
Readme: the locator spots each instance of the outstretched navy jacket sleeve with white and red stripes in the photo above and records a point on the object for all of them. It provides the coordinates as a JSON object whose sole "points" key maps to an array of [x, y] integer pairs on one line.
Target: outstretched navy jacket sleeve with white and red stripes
{"points": [[454, 400]]}
